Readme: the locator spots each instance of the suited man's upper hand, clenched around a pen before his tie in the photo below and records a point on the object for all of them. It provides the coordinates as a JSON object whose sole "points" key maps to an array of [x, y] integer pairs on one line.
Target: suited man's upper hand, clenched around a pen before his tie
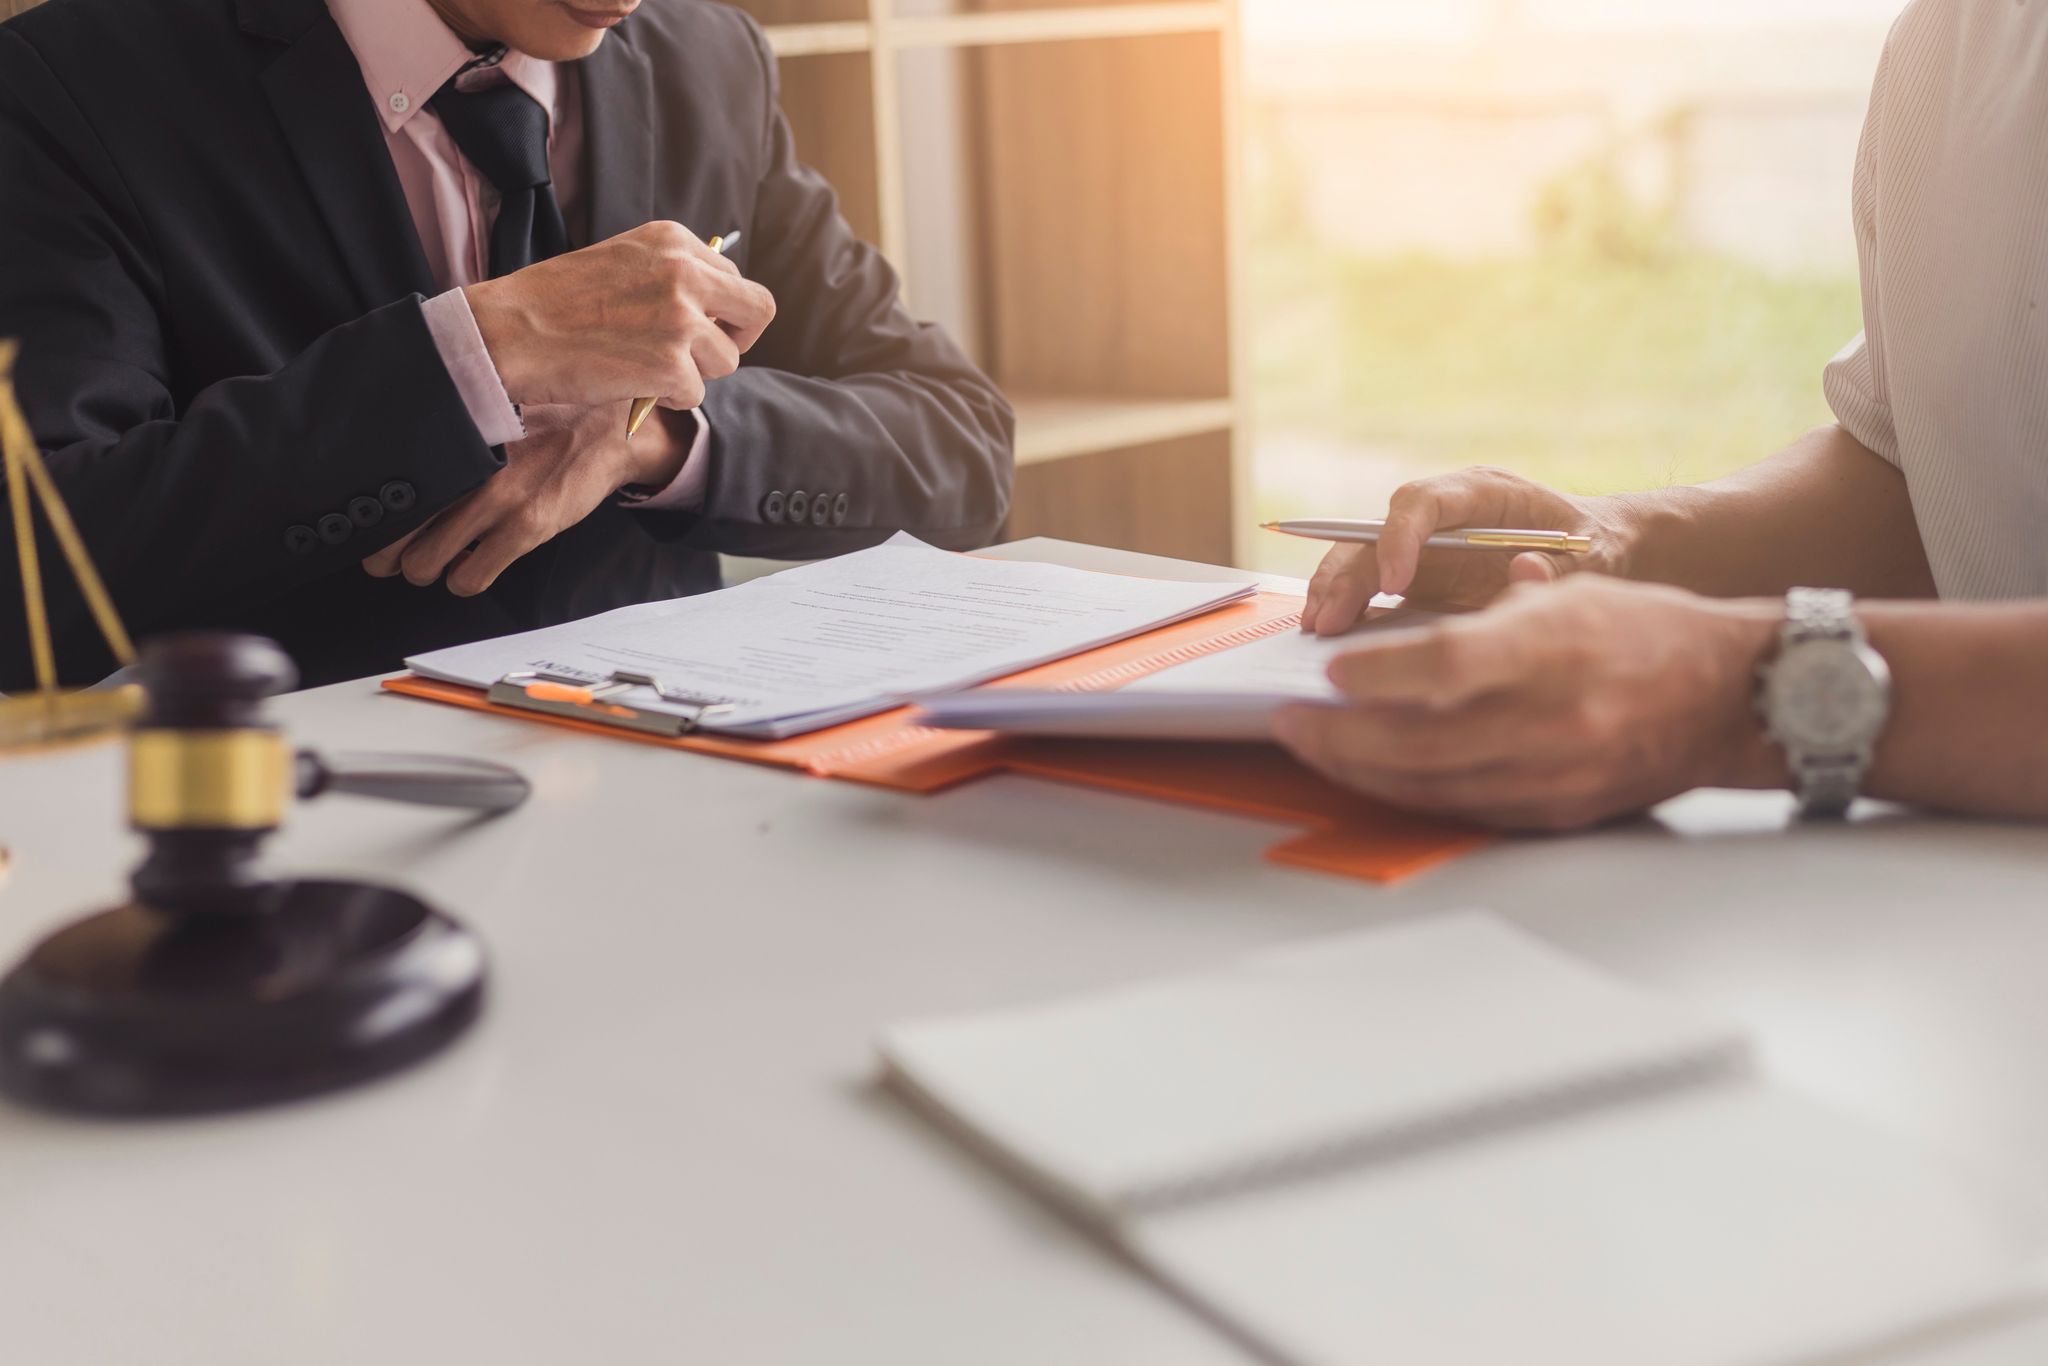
{"points": [[648, 312]]}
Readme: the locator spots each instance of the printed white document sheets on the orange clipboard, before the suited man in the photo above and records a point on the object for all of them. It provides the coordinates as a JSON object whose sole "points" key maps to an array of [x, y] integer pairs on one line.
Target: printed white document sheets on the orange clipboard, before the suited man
{"points": [[839, 640]]}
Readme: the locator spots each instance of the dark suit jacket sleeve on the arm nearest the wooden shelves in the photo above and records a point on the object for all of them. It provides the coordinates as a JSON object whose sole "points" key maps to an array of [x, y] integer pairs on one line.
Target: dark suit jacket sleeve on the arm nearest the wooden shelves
{"points": [[845, 394]]}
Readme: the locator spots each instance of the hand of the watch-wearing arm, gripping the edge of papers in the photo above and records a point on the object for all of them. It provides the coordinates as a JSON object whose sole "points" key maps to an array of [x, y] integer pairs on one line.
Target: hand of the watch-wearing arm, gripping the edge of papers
{"points": [[1562, 706]]}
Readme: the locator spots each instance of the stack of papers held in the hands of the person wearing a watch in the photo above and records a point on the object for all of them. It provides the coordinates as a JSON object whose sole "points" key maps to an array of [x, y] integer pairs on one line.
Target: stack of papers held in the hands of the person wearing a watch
{"points": [[1230, 695]]}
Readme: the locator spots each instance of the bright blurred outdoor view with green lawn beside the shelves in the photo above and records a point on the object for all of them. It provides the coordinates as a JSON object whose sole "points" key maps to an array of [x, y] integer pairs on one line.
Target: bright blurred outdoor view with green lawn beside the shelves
{"points": [[1603, 243]]}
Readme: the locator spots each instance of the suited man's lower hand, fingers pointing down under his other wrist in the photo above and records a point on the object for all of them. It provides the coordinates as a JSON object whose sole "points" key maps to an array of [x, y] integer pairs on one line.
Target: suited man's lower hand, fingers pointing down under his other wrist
{"points": [[570, 462]]}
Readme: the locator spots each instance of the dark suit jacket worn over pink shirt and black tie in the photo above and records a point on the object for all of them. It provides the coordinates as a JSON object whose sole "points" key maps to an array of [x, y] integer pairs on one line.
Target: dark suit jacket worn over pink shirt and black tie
{"points": [[210, 263]]}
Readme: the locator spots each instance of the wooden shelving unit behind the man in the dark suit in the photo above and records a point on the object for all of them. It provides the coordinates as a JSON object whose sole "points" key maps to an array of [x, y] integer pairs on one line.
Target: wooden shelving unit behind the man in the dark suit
{"points": [[1058, 185]]}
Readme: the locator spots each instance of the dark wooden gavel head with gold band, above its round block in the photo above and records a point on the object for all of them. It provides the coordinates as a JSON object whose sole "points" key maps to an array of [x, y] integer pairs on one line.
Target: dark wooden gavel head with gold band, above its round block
{"points": [[208, 775]]}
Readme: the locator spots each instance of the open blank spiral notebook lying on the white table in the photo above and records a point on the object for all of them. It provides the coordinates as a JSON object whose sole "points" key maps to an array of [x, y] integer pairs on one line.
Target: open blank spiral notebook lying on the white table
{"points": [[1451, 1146]]}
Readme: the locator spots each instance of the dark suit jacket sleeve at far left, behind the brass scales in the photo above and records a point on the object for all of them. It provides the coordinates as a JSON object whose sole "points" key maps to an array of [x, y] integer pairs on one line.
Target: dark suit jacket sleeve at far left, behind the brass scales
{"points": [[187, 507]]}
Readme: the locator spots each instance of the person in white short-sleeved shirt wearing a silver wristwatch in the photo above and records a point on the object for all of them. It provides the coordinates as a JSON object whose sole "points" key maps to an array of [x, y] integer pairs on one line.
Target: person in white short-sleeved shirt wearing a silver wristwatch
{"points": [[1574, 699]]}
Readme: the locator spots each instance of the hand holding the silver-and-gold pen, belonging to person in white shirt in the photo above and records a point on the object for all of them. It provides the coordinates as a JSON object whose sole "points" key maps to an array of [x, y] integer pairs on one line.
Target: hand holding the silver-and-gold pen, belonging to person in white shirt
{"points": [[1400, 564]]}
